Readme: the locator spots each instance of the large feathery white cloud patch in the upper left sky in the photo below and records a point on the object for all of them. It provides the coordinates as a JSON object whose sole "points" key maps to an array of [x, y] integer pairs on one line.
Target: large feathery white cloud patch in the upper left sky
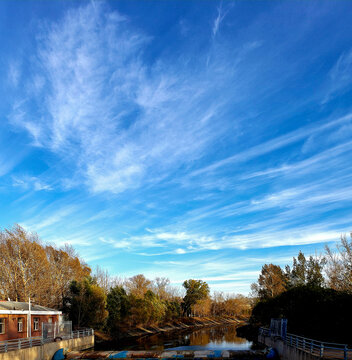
{"points": [[117, 120]]}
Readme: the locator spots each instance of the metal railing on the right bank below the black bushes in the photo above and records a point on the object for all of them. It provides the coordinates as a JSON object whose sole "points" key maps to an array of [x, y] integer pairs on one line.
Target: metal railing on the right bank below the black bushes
{"points": [[321, 349]]}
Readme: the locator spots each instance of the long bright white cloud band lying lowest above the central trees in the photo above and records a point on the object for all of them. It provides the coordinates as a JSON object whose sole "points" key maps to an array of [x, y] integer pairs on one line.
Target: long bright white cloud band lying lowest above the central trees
{"points": [[245, 239]]}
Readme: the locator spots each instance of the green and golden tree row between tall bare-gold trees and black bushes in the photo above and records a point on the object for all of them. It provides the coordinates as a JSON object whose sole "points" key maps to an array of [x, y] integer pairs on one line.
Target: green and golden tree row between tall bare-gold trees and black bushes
{"points": [[138, 301]]}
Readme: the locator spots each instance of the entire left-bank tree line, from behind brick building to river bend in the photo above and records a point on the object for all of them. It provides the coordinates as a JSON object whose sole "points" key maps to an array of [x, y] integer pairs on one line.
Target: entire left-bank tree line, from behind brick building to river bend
{"points": [[59, 278]]}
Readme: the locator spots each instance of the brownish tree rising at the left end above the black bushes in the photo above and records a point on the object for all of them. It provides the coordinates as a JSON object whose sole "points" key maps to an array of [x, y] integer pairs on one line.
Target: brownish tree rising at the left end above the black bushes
{"points": [[271, 282]]}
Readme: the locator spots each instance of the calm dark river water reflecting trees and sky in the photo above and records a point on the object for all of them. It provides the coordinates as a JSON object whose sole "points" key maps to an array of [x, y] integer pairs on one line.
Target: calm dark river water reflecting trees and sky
{"points": [[213, 338]]}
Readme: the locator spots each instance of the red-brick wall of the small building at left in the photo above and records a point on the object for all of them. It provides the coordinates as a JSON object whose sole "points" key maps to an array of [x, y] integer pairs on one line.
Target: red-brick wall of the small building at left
{"points": [[11, 325]]}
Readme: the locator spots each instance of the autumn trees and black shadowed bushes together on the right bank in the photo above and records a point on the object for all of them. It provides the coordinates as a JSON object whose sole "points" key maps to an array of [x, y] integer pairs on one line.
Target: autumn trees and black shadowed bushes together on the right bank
{"points": [[314, 294]]}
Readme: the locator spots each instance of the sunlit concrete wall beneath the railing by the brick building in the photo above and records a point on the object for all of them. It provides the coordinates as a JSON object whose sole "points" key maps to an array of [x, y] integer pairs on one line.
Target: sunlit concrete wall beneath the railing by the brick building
{"points": [[47, 351]]}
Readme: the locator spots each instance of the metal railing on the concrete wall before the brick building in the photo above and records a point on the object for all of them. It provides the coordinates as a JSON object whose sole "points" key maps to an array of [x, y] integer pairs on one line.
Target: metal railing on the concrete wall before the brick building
{"points": [[25, 343]]}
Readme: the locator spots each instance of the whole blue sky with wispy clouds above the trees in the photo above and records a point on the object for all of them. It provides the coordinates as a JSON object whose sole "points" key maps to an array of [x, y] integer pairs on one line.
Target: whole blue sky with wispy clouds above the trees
{"points": [[186, 139]]}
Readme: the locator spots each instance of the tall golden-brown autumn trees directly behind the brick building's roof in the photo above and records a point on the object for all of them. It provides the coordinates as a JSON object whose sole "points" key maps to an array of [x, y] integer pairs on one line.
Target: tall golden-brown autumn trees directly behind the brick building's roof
{"points": [[28, 269]]}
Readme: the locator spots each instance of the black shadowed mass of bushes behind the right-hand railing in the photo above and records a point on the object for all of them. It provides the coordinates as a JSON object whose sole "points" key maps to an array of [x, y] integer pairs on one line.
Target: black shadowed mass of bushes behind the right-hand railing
{"points": [[314, 312]]}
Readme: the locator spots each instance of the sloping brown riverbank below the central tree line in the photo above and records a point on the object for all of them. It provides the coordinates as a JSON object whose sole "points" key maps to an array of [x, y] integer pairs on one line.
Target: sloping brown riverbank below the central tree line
{"points": [[180, 324]]}
